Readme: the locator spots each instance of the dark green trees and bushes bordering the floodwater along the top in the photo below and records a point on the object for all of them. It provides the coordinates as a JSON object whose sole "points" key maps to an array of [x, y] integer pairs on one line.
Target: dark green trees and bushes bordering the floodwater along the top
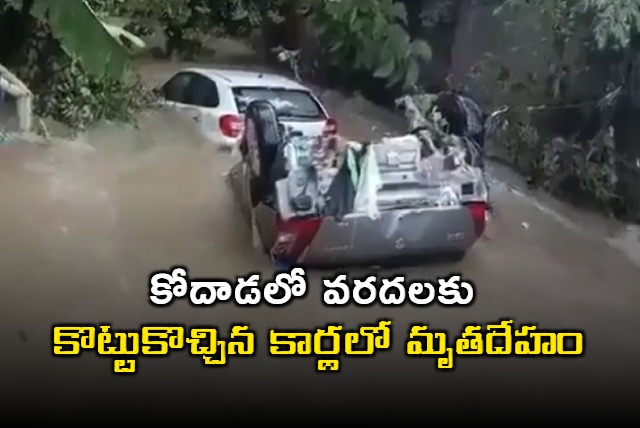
{"points": [[81, 74]]}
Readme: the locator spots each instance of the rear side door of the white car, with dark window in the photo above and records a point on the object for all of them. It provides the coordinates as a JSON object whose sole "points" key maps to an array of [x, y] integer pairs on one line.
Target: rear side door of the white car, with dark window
{"points": [[201, 106]]}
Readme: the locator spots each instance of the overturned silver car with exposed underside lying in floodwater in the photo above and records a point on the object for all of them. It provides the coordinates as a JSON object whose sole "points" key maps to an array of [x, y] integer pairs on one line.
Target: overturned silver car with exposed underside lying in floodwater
{"points": [[326, 201]]}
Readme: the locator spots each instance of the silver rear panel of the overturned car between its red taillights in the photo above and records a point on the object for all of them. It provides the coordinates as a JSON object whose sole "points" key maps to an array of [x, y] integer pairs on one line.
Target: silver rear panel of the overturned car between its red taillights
{"points": [[396, 234]]}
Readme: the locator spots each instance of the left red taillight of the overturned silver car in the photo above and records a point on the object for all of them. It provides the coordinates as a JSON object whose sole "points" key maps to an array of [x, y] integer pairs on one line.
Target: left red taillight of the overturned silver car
{"points": [[294, 236]]}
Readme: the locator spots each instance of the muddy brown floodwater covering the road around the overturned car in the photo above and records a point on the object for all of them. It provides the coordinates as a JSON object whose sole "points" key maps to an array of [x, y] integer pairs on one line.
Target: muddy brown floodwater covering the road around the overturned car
{"points": [[82, 226]]}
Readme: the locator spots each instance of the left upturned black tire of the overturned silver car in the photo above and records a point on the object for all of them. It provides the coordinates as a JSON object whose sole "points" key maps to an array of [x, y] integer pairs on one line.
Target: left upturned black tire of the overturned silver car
{"points": [[261, 125]]}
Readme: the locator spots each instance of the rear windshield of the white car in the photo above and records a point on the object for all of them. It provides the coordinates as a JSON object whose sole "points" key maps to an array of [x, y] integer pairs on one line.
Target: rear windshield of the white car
{"points": [[289, 103]]}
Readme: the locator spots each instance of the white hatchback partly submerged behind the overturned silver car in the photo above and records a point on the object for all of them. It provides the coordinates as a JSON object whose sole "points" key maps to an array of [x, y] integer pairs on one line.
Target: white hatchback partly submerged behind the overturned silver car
{"points": [[215, 99]]}
